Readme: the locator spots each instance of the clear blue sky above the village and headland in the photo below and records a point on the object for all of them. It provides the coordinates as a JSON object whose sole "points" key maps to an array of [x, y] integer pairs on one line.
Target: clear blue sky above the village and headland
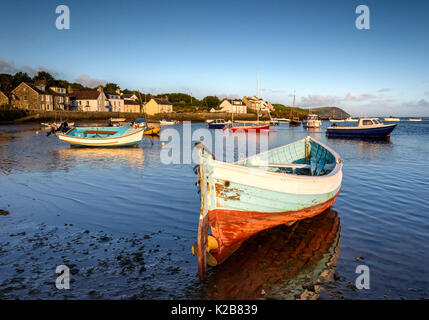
{"points": [[218, 47]]}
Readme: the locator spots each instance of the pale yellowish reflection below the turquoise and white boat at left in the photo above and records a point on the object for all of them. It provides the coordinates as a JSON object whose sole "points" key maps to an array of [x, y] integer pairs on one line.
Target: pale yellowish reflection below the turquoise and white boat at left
{"points": [[102, 157]]}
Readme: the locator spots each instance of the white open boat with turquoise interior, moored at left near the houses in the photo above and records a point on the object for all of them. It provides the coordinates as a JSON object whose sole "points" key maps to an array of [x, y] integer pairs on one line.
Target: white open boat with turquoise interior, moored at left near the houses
{"points": [[103, 136]]}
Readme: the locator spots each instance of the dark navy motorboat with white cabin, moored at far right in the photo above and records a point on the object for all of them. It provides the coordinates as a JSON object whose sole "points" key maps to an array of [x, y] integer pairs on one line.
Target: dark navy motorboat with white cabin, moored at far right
{"points": [[366, 128]]}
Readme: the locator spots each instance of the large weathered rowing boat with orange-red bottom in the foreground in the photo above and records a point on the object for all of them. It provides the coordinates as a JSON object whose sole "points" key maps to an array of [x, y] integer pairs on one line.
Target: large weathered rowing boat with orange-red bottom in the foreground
{"points": [[280, 186]]}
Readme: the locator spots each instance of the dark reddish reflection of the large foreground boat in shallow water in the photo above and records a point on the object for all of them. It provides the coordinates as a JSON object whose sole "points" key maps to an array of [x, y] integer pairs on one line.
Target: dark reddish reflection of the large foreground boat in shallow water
{"points": [[280, 263]]}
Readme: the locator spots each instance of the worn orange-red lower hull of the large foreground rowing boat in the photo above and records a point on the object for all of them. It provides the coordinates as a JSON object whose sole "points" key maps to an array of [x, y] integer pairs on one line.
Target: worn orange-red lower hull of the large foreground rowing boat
{"points": [[232, 228]]}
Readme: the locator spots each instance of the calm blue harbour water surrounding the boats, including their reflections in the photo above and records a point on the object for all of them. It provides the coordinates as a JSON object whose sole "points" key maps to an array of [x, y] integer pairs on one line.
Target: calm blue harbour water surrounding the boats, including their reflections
{"points": [[125, 223]]}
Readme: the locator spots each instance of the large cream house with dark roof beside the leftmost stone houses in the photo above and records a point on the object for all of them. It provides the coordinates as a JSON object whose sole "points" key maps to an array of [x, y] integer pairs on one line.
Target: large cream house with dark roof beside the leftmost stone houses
{"points": [[89, 101]]}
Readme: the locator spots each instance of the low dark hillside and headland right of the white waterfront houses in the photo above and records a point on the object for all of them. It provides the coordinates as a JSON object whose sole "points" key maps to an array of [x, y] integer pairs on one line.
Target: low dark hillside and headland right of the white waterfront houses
{"points": [[324, 112]]}
